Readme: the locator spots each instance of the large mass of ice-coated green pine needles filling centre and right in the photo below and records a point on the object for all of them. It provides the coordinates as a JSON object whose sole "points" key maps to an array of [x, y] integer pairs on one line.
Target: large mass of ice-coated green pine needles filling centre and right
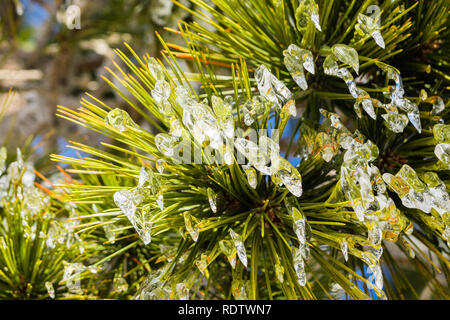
{"points": [[305, 158]]}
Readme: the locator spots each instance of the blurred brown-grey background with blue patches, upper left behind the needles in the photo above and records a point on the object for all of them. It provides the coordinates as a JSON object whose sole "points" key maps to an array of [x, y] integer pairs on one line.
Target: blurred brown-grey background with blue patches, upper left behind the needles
{"points": [[53, 51]]}
